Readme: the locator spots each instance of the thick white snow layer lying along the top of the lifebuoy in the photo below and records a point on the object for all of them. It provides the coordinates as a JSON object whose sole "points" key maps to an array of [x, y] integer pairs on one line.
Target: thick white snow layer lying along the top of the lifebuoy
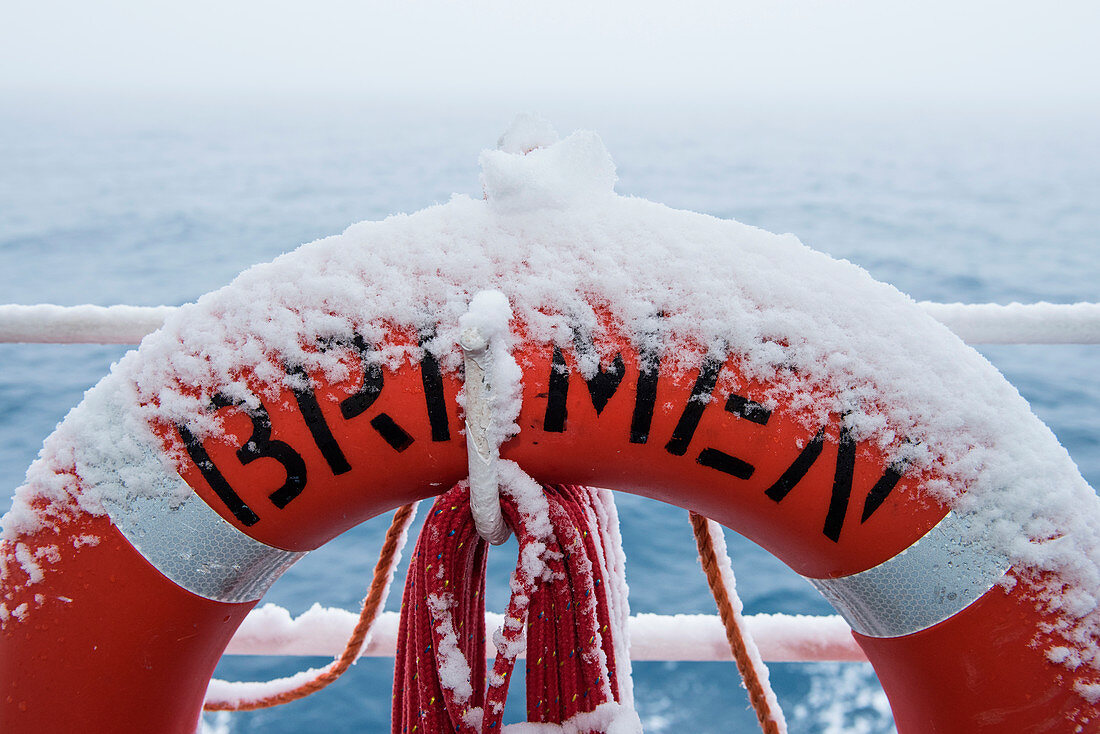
{"points": [[553, 237]]}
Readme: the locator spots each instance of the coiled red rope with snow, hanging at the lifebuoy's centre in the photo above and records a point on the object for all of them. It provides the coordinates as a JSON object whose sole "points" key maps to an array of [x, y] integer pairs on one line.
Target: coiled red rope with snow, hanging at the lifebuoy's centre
{"points": [[559, 594]]}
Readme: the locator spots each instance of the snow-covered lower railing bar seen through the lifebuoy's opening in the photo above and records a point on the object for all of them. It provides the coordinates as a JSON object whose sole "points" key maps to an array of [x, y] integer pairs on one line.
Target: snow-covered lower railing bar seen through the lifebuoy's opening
{"points": [[270, 630]]}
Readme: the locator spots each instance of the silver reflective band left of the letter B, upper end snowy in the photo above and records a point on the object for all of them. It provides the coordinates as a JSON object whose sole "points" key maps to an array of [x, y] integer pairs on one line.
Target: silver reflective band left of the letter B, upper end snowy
{"points": [[157, 511]]}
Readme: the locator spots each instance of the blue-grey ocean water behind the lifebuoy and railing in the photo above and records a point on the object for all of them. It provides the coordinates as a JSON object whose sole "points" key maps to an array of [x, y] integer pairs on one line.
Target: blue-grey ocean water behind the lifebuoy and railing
{"points": [[153, 205]]}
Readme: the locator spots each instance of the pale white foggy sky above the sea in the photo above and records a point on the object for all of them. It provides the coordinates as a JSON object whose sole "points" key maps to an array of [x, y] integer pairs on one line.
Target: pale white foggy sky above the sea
{"points": [[1025, 53]]}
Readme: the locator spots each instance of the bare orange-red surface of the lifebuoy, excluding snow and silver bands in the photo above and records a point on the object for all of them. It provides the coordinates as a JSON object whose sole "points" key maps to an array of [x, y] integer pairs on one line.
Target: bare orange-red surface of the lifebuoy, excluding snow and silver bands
{"points": [[112, 640]]}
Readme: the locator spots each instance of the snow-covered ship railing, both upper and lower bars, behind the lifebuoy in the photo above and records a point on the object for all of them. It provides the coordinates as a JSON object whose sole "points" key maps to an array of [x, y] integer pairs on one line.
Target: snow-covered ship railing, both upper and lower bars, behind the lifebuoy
{"points": [[271, 630]]}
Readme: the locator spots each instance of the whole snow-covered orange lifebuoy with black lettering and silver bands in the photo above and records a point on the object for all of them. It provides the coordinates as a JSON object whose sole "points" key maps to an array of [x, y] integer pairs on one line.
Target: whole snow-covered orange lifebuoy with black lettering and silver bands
{"points": [[694, 360]]}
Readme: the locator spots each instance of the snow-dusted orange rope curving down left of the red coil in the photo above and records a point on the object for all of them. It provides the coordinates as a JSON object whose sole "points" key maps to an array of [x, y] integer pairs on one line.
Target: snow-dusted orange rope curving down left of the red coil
{"points": [[383, 572]]}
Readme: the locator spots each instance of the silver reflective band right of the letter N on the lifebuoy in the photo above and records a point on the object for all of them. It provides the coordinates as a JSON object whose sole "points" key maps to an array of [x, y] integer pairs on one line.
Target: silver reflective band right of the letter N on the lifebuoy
{"points": [[929, 583]]}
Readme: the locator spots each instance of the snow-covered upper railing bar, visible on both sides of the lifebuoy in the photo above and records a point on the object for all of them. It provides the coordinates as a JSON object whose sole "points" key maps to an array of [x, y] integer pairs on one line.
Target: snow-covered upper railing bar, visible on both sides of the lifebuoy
{"points": [[977, 324]]}
